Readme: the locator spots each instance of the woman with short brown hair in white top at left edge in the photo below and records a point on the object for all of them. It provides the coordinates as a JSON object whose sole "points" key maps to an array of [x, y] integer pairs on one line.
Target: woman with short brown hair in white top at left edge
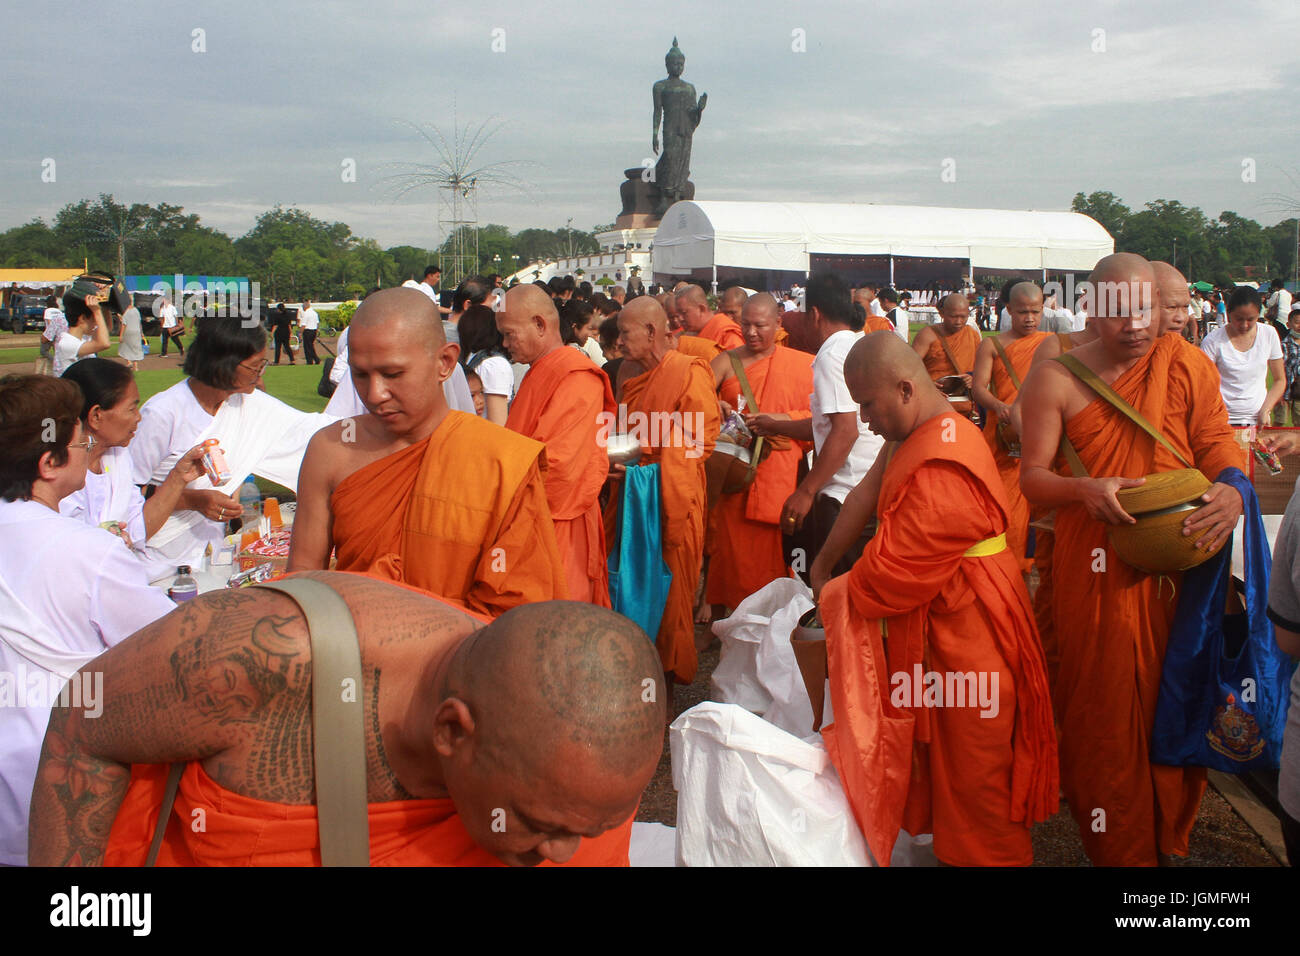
{"points": [[68, 592]]}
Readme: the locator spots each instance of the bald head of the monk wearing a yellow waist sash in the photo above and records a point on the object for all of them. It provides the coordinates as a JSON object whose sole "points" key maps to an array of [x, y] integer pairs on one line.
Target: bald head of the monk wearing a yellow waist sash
{"points": [[891, 386]]}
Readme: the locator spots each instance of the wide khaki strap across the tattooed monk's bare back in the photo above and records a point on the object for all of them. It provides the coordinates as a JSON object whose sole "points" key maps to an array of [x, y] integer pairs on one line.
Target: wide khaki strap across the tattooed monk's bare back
{"points": [[339, 730]]}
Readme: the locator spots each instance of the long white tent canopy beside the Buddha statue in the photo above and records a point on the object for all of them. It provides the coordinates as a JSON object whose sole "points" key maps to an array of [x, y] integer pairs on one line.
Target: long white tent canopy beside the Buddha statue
{"points": [[783, 236]]}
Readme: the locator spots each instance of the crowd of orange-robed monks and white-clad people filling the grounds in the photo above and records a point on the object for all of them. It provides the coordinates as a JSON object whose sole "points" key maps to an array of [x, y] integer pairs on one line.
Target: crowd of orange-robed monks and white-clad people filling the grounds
{"points": [[460, 511]]}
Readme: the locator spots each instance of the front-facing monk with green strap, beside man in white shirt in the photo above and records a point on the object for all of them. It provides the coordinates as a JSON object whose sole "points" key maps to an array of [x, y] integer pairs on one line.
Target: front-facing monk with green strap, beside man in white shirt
{"points": [[748, 552]]}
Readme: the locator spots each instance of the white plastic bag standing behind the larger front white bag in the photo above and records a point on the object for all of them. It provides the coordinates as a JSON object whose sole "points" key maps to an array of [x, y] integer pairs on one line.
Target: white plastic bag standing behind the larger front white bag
{"points": [[757, 669]]}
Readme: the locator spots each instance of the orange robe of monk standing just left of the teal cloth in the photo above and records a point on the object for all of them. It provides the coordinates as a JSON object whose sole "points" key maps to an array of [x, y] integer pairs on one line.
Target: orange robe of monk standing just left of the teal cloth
{"points": [[561, 404]]}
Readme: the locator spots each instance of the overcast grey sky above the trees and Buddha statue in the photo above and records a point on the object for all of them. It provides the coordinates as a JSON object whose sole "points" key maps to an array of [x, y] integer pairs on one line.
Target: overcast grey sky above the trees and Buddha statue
{"points": [[1033, 102]]}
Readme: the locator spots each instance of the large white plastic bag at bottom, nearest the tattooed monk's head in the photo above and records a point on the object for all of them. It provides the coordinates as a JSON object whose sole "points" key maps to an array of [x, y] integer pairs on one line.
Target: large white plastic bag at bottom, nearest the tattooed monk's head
{"points": [[752, 795]]}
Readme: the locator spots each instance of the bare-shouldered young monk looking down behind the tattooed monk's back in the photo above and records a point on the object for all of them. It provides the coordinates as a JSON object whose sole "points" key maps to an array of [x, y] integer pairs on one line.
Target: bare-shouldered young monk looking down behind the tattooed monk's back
{"points": [[415, 492]]}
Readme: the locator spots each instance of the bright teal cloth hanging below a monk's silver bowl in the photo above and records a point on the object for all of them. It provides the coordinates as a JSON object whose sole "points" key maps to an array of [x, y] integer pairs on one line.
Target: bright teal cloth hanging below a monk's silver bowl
{"points": [[639, 577]]}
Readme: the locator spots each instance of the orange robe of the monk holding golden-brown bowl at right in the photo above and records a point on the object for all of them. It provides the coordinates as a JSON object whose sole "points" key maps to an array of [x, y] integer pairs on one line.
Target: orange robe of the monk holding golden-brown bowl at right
{"points": [[1112, 622]]}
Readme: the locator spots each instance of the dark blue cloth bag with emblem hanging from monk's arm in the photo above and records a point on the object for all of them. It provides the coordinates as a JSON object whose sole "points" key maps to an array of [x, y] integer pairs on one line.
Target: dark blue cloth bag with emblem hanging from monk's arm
{"points": [[1224, 689]]}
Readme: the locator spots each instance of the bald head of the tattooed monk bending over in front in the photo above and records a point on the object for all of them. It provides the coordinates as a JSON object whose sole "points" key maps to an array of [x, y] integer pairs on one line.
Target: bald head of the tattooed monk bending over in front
{"points": [[549, 725]]}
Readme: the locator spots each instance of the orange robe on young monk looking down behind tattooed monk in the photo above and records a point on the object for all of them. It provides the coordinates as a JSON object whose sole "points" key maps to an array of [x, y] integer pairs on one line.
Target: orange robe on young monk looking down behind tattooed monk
{"points": [[461, 516]]}
